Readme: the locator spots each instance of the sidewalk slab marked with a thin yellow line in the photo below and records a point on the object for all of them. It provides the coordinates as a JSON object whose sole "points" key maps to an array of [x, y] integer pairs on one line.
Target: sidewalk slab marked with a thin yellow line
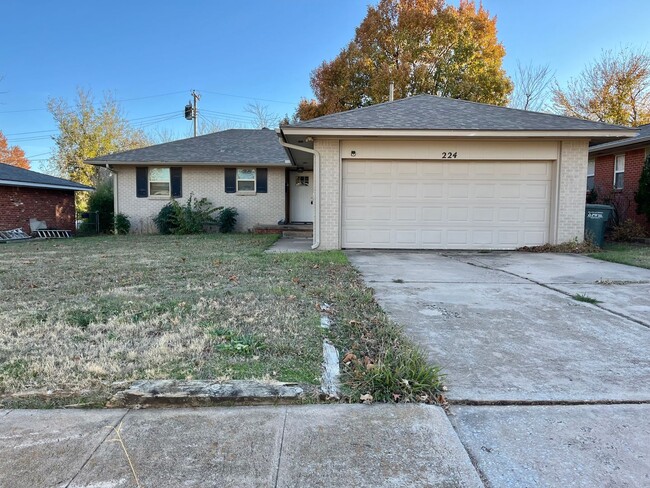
{"points": [[191, 447]]}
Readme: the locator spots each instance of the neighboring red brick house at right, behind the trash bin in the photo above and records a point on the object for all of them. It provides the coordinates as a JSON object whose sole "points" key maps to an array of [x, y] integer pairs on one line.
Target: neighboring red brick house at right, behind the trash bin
{"points": [[615, 169]]}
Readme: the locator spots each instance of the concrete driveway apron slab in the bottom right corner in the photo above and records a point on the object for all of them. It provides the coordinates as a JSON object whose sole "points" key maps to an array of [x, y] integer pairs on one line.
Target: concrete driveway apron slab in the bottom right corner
{"points": [[568, 446]]}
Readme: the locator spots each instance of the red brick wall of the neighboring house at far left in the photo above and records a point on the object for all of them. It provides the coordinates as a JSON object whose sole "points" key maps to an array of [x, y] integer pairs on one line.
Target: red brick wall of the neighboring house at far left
{"points": [[19, 204]]}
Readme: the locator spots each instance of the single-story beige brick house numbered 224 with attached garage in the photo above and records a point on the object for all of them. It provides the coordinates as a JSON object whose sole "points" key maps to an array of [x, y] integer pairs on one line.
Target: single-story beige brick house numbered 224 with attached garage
{"points": [[423, 172]]}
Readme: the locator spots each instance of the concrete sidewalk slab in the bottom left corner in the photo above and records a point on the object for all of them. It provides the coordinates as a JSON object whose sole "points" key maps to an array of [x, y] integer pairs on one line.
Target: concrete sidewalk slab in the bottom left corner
{"points": [[48, 448]]}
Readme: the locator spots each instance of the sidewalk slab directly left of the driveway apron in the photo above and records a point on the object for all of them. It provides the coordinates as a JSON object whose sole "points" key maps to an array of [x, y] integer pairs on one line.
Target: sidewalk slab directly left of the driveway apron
{"points": [[380, 445]]}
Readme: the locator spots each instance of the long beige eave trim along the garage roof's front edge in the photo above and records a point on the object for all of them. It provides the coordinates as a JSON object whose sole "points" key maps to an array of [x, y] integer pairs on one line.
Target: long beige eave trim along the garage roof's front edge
{"points": [[416, 133]]}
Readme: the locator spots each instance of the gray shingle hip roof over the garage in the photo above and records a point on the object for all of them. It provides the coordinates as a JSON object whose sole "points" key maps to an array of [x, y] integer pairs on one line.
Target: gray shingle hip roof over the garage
{"points": [[428, 112]]}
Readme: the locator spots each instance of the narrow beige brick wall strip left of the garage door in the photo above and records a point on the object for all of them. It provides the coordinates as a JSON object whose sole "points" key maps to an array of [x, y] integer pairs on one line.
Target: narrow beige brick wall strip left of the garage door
{"points": [[330, 184]]}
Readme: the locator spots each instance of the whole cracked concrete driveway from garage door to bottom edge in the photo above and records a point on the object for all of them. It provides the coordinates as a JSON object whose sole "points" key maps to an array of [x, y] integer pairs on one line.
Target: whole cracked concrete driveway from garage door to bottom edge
{"points": [[522, 357]]}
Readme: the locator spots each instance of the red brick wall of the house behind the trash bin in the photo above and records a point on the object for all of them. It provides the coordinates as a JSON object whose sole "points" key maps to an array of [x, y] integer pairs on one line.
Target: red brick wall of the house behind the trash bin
{"points": [[622, 199]]}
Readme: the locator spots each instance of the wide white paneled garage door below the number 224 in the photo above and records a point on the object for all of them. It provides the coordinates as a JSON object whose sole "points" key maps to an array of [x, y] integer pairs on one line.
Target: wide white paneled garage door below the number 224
{"points": [[445, 205]]}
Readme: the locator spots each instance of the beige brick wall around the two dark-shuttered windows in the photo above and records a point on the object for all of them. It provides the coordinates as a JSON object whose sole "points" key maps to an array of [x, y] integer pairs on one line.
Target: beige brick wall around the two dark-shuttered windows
{"points": [[204, 181]]}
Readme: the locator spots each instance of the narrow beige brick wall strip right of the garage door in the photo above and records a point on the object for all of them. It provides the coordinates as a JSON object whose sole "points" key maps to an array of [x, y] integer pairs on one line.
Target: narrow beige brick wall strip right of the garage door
{"points": [[571, 191]]}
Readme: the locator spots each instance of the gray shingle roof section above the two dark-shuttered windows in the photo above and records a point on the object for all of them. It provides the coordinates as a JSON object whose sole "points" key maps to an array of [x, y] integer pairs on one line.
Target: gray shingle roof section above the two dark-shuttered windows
{"points": [[234, 146]]}
